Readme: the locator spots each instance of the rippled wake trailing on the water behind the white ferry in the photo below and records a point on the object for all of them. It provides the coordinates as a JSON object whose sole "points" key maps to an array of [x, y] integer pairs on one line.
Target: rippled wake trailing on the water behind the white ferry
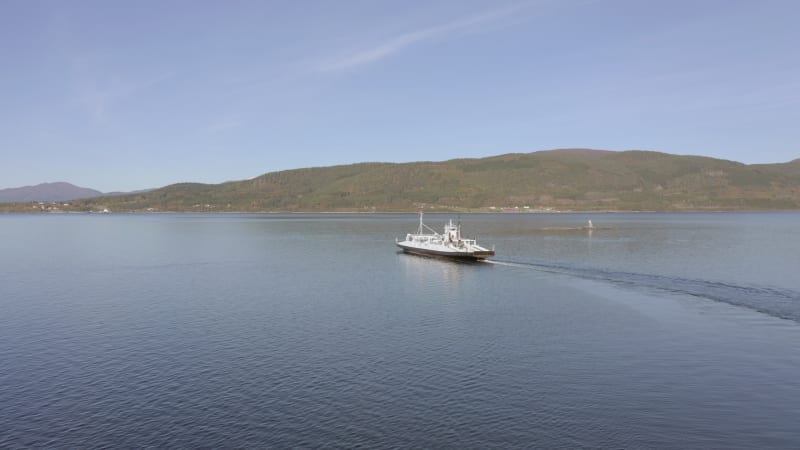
{"points": [[777, 302]]}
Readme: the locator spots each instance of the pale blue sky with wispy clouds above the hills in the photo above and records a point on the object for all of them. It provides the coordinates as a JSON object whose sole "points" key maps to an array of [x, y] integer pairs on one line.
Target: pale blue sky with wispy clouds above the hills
{"points": [[128, 95]]}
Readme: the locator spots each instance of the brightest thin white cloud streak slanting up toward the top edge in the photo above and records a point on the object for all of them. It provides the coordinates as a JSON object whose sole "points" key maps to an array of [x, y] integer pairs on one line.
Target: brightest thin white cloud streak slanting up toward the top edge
{"points": [[398, 43]]}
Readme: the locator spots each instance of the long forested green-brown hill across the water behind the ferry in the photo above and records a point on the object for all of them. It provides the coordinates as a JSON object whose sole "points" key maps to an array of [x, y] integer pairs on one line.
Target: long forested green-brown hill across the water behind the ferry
{"points": [[573, 179]]}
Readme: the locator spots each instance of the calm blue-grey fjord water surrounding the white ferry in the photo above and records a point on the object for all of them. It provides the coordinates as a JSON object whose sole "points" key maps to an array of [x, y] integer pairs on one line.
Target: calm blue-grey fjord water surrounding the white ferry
{"points": [[652, 331]]}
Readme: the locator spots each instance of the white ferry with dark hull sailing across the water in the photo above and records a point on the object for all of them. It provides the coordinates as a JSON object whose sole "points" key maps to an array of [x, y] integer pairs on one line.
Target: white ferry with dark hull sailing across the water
{"points": [[450, 244]]}
